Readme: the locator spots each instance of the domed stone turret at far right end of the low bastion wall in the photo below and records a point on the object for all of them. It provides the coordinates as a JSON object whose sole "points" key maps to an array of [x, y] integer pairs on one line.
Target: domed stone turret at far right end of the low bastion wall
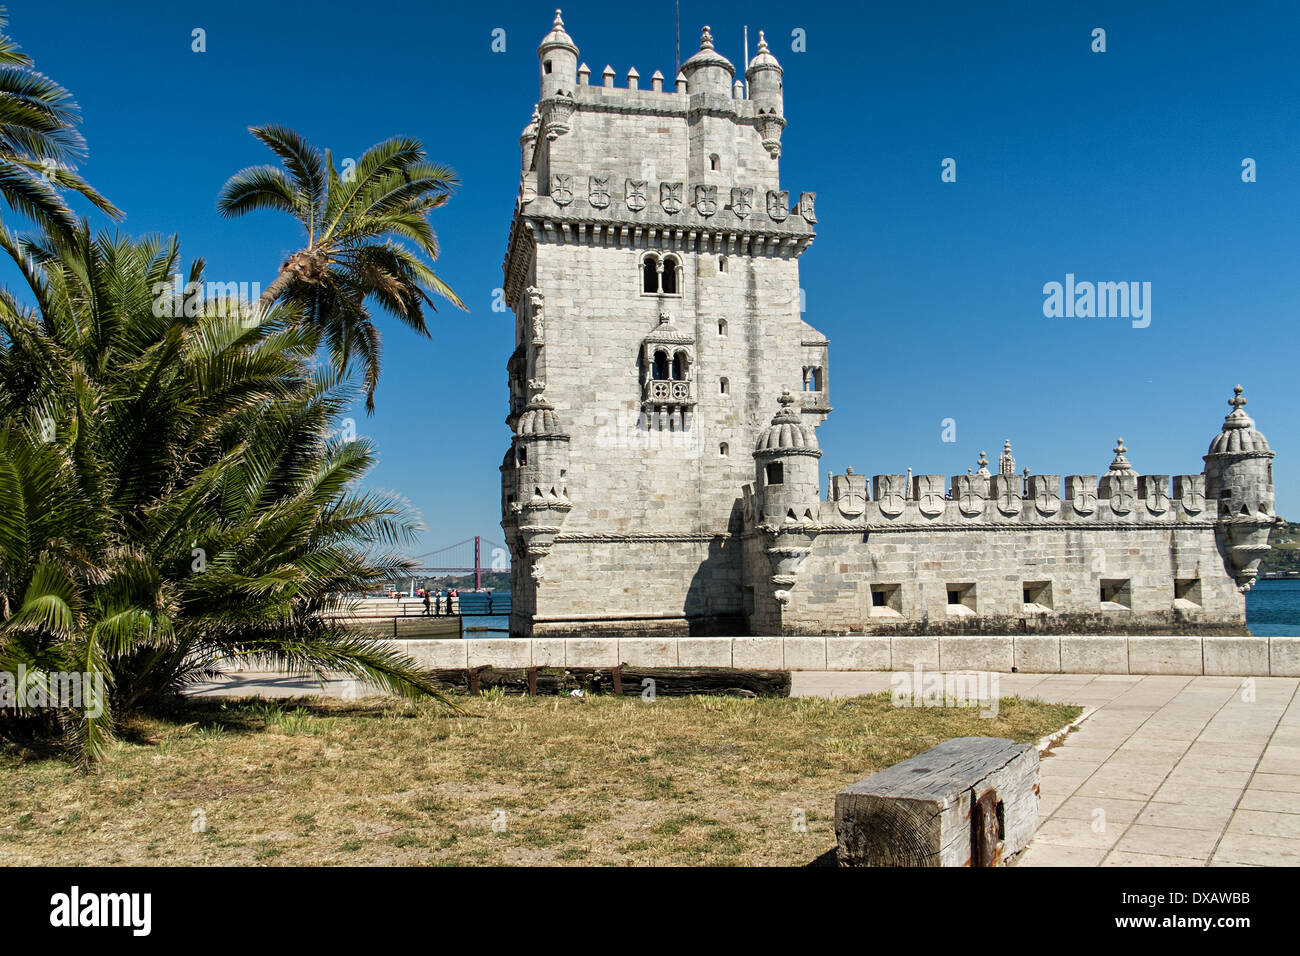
{"points": [[1240, 477]]}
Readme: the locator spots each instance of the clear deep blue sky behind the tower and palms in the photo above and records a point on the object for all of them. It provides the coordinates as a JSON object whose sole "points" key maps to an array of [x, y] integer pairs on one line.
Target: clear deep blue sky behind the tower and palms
{"points": [[1117, 166]]}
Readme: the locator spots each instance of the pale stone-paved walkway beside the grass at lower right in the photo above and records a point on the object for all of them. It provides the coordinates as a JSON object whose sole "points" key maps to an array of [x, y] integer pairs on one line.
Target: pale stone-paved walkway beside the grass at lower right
{"points": [[1167, 772]]}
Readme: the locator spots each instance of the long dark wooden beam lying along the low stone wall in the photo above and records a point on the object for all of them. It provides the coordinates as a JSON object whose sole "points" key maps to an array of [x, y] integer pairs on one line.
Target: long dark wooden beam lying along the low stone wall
{"points": [[668, 682]]}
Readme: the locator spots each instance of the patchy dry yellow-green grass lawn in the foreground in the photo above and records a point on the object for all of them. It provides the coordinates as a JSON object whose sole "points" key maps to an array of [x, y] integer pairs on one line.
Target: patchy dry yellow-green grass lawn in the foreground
{"points": [[597, 781]]}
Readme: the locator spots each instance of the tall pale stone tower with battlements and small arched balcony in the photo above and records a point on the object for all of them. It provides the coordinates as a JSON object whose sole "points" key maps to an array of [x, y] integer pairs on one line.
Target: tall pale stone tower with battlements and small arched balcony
{"points": [[653, 274]]}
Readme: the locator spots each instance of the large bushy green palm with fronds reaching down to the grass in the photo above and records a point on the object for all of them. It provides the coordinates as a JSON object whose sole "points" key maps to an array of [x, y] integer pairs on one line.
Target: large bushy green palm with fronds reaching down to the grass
{"points": [[172, 494]]}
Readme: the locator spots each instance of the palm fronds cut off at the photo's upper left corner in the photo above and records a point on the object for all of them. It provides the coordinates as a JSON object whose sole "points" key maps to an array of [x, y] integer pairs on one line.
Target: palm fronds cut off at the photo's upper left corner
{"points": [[40, 144]]}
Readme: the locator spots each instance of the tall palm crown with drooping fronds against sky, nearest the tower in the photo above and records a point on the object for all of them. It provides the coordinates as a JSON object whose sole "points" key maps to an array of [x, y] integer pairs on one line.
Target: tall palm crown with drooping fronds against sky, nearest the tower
{"points": [[354, 228]]}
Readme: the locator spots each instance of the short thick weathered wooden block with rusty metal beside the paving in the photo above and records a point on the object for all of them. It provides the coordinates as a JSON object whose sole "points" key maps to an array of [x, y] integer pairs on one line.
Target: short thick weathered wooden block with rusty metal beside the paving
{"points": [[968, 802]]}
